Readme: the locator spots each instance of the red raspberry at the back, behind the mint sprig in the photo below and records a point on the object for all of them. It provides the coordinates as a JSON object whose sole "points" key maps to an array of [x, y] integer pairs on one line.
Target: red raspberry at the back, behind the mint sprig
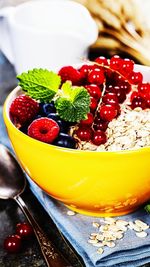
{"points": [[71, 74]]}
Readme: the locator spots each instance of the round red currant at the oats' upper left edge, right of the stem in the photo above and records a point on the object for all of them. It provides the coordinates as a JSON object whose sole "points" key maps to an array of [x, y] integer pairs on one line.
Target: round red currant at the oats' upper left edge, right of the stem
{"points": [[108, 112]]}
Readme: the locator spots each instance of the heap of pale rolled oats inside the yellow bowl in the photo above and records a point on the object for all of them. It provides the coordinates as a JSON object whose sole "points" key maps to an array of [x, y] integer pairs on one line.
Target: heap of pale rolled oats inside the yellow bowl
{"points": [[129, 131]]}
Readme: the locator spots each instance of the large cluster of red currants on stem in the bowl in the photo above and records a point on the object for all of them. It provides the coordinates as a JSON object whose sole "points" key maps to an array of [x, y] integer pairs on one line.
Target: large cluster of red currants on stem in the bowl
{"points": [[109, 83]]}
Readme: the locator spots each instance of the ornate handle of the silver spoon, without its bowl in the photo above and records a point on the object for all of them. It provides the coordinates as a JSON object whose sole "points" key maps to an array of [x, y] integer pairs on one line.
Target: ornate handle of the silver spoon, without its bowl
{"points": [[52, 256]]}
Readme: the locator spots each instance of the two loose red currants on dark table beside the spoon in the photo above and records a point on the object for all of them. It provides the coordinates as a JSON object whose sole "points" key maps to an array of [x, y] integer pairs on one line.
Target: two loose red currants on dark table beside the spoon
{"points": [[13, 243]]}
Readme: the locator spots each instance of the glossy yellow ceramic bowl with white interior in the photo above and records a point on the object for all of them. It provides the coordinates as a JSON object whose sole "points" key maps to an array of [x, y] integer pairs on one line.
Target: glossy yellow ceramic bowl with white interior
{"points": [[92, 183]]}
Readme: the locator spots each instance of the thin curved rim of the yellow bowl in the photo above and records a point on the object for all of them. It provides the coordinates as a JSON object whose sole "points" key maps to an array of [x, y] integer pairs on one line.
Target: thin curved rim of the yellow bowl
{"points": [[17, 91]]}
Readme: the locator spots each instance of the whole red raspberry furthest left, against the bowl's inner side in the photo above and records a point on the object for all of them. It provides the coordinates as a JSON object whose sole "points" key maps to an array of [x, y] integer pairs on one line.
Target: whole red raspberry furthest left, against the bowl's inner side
{"points": [[23, 109]]}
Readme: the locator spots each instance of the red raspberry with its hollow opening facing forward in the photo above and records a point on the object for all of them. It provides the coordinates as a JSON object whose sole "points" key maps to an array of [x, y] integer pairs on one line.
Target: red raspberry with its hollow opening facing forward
{"points": [[44, 129]]}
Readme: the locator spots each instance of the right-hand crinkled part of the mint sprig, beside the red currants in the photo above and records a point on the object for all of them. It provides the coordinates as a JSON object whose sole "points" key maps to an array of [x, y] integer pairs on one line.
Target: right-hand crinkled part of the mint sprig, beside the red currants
{"points": [[73, 103]]}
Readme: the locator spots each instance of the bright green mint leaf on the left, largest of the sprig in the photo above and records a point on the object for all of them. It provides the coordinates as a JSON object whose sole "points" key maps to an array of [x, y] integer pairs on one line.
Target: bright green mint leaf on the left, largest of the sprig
{"points": [[40, 84]]}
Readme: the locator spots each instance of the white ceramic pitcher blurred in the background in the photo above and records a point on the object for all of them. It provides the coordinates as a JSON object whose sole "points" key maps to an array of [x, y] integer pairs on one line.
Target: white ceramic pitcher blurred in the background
{"points": [[46, 34]]}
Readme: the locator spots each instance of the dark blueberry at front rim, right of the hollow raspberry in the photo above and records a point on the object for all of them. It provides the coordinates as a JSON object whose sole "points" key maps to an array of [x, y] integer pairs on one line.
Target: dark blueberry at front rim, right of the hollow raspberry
{"points": [[65, 140]]}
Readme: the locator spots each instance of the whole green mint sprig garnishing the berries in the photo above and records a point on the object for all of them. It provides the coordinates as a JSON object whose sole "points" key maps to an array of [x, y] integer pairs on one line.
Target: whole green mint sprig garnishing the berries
{"points": [[71, 102]]}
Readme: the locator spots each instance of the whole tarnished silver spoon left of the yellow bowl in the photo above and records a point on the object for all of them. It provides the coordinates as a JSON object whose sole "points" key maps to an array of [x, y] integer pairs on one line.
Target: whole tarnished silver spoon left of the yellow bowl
{"points": [[12, 184]]}
